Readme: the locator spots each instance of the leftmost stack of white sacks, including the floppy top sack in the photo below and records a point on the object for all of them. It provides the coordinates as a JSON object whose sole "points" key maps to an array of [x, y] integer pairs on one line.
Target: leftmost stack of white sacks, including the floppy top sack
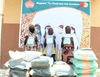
{"points": [[18, 65]]}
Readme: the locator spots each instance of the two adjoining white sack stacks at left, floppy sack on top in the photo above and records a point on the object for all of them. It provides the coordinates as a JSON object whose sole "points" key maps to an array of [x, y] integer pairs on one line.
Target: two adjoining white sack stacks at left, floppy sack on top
{"points": [[21, 62]]}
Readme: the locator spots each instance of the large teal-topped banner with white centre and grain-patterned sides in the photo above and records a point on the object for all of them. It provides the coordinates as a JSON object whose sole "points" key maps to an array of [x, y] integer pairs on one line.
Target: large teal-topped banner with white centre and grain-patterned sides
{"points": [[75, 13]]}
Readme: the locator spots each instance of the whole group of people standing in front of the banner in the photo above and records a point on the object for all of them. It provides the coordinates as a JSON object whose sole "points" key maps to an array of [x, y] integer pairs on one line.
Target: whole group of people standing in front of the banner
{"points": [[64, 41]]}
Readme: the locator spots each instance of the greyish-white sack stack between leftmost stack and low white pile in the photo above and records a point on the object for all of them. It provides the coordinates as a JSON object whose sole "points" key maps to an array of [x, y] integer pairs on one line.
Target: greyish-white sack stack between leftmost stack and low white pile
{"points": [[41, 67]]}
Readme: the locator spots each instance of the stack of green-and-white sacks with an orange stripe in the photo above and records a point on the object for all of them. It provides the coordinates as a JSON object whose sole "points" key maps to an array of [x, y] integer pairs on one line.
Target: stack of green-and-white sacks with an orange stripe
{"points": [[84, 62]]}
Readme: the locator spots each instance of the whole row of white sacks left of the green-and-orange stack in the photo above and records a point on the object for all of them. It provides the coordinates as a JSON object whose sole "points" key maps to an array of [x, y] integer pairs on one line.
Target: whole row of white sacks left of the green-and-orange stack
{"points": [[32, 63]]}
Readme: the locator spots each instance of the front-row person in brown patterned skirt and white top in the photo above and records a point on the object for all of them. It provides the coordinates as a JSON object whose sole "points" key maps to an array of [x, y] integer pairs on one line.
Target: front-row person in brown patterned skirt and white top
{"points": [[67, 45]]}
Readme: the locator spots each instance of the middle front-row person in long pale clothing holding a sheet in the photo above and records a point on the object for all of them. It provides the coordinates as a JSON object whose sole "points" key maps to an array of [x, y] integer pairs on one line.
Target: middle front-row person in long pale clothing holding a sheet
{"points": [[50, 43]]}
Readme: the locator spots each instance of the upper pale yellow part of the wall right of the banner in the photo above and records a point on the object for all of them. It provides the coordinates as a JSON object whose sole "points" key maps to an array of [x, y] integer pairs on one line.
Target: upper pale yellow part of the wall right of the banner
{"points": [[95, 13]]}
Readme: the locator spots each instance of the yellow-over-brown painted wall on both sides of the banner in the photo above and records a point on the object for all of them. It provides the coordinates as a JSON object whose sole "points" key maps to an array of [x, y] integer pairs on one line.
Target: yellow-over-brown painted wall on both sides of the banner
{"points": [[10, 29]]}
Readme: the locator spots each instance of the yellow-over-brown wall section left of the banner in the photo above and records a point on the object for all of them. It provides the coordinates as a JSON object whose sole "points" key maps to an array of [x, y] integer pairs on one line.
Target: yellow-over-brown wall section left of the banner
{"points": [[10, 28]]}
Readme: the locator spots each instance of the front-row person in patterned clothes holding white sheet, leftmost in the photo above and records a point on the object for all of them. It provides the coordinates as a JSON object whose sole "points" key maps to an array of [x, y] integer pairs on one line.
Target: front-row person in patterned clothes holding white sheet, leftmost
{"points": [[31, 39]]}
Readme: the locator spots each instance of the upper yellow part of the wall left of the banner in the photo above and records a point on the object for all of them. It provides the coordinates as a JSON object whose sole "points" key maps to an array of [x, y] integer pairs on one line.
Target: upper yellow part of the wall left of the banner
{"points": [[12, 11]]}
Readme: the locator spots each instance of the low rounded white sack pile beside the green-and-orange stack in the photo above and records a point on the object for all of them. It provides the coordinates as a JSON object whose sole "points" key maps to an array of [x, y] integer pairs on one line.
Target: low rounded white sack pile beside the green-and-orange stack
{"points": [[63, 69]]}
